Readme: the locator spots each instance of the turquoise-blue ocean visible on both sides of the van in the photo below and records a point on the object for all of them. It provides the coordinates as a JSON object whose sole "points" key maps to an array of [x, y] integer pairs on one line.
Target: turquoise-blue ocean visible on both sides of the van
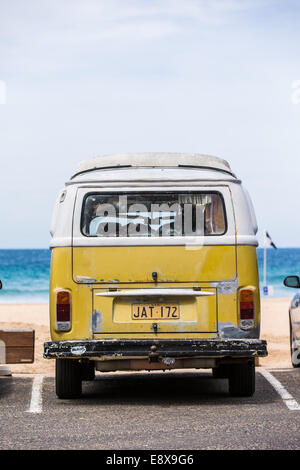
{"points": [[25, 273]]}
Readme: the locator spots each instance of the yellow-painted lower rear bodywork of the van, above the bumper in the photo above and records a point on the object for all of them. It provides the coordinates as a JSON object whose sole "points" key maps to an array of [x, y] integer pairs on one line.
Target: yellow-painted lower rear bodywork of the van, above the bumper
{"points": [[199, 315]]}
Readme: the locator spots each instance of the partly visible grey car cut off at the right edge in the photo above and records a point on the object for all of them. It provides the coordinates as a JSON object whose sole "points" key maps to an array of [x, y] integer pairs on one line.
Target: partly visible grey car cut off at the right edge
{"points": [[294, 319]]}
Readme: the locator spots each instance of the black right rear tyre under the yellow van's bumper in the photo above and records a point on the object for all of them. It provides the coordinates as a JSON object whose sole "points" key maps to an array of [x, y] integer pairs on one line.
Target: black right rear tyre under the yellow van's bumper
{"points": [[242, 379]]}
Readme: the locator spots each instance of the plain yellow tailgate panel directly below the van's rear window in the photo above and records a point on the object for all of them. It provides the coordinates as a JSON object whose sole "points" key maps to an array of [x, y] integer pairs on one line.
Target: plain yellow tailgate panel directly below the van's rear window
{"points": [[172, 263]]}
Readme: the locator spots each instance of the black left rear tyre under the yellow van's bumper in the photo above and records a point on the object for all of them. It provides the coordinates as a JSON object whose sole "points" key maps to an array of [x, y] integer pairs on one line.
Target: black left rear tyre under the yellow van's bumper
{"points": [[68, 378]]}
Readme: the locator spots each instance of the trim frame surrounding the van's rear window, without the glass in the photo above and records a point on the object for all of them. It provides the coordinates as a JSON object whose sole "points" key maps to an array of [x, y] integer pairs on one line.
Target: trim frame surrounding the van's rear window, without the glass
{"points": [[121, 193]]}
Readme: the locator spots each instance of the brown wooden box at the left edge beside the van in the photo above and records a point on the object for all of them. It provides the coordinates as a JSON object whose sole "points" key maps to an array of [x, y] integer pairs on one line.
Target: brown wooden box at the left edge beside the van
{"points": [[19, 345]]}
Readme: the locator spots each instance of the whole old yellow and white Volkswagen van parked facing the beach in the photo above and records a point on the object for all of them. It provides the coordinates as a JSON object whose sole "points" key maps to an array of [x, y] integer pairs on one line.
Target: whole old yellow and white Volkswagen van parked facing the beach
{"points": [[154, 268]]}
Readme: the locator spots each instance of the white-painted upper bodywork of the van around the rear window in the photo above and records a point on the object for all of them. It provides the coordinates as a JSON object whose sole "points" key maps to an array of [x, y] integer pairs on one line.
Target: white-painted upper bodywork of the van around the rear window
{"points": [[241, 222]]}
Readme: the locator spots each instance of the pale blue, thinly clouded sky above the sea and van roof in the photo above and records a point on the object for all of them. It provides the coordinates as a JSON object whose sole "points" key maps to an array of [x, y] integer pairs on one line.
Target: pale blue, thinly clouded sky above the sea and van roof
{"points": [[82, 78]]}
